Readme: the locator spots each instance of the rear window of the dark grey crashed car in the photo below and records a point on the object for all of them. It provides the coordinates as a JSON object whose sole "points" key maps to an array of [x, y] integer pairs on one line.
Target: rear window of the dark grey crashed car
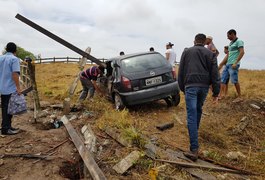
{"points": [[143, 63]]}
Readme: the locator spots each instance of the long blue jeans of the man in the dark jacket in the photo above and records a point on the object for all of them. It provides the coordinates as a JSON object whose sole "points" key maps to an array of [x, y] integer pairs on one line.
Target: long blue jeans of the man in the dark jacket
{"points": [[194, 97]]}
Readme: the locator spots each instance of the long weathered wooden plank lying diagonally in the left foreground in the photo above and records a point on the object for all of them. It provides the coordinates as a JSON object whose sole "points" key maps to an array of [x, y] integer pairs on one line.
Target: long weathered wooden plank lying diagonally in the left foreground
{"points": [[90, 163]]}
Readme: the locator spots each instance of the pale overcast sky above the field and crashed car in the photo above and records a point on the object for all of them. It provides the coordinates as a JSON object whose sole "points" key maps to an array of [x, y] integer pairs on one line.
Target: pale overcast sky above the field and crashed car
{"points": [[109, 27]]}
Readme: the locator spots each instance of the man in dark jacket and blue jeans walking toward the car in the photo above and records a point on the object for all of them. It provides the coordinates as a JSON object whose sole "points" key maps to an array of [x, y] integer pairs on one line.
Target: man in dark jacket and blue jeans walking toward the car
{"points": [[197, 71]]}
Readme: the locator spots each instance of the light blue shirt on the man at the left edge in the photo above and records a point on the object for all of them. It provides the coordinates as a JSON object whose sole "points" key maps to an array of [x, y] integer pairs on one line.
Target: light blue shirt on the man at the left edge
{"points": [[8, 64]]}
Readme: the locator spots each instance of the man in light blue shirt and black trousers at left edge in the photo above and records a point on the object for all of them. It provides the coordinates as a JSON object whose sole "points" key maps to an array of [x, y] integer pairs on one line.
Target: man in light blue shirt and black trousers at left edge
{"points": [[9, 83]]}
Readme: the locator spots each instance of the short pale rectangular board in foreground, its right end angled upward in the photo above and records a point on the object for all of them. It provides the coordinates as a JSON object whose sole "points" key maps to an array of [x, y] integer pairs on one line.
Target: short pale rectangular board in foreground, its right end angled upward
{"points": [[127, 162]]}
